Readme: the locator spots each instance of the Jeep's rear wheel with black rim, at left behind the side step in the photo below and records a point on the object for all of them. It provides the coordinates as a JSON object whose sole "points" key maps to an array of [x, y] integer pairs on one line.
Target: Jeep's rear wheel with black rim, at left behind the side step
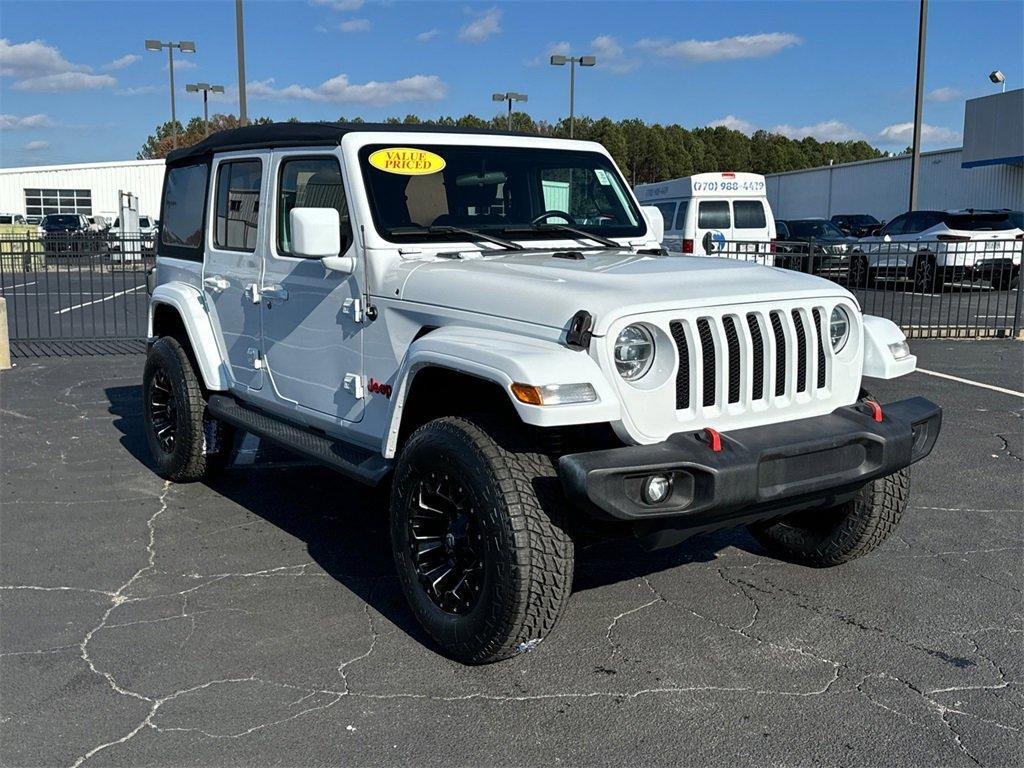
{"points": [[169, 376]]}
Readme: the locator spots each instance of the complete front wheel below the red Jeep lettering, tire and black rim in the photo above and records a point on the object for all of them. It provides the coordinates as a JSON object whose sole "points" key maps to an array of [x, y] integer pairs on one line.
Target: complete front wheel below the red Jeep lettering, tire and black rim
{"points": [[479, 539]]}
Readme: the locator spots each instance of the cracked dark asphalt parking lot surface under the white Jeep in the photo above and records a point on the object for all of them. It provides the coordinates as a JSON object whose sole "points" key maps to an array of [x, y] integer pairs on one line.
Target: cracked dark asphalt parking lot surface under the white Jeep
{"points": [[258, 622]]}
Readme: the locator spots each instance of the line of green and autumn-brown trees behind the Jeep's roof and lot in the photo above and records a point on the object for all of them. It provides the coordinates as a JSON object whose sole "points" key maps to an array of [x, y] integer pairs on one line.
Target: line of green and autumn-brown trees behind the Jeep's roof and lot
{"points": [[645, 152]]}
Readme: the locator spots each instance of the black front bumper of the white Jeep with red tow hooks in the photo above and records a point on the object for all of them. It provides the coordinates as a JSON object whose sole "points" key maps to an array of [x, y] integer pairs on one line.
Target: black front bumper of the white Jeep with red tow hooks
{"points": [[767, 470]]}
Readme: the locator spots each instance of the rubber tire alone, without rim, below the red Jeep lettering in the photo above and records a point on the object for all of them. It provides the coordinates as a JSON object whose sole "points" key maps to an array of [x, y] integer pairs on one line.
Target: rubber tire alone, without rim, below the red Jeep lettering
{"points": [[527, 554]]}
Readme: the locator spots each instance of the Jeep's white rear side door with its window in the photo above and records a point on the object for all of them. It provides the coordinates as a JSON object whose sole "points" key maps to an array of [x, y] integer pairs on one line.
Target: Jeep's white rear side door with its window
{"points": [[233, 266]]}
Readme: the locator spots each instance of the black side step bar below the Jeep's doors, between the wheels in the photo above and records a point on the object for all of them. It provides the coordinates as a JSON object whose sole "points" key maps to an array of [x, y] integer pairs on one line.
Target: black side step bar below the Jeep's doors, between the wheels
{"points": [[354, 461]]}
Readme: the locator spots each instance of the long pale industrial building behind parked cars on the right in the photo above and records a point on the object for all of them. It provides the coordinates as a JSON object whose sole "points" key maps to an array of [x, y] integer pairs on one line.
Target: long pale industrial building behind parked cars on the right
{"points": [[987, 173]]}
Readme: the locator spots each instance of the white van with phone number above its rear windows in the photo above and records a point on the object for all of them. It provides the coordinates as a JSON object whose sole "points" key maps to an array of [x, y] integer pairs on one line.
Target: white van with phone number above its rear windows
{"points": [[706, 211]]}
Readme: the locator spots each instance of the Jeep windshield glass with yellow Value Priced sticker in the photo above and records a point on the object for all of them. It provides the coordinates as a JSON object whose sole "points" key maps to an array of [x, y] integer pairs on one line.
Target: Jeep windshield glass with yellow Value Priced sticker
{"points": [[493, 189]]}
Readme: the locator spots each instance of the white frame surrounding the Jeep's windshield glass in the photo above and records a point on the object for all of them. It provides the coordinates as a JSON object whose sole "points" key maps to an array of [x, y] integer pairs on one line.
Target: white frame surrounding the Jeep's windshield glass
{"points": [[359, 157]]}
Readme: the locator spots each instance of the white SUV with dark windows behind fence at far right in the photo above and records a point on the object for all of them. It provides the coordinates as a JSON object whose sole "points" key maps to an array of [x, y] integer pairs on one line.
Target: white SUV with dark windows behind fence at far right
{"points": [[935, 247]]}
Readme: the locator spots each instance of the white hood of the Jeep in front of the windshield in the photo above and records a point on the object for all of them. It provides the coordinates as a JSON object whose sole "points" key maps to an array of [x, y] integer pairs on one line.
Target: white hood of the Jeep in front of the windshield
{"points": [[541, 288]]}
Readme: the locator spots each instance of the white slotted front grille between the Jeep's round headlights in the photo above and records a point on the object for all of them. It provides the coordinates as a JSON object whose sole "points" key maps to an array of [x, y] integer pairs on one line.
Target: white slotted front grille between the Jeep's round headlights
{"points": [[786, 357]]}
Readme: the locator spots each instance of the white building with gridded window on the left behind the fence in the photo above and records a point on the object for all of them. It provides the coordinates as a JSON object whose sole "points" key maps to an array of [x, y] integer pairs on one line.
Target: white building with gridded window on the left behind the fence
{"points": [[87, 188]]}
